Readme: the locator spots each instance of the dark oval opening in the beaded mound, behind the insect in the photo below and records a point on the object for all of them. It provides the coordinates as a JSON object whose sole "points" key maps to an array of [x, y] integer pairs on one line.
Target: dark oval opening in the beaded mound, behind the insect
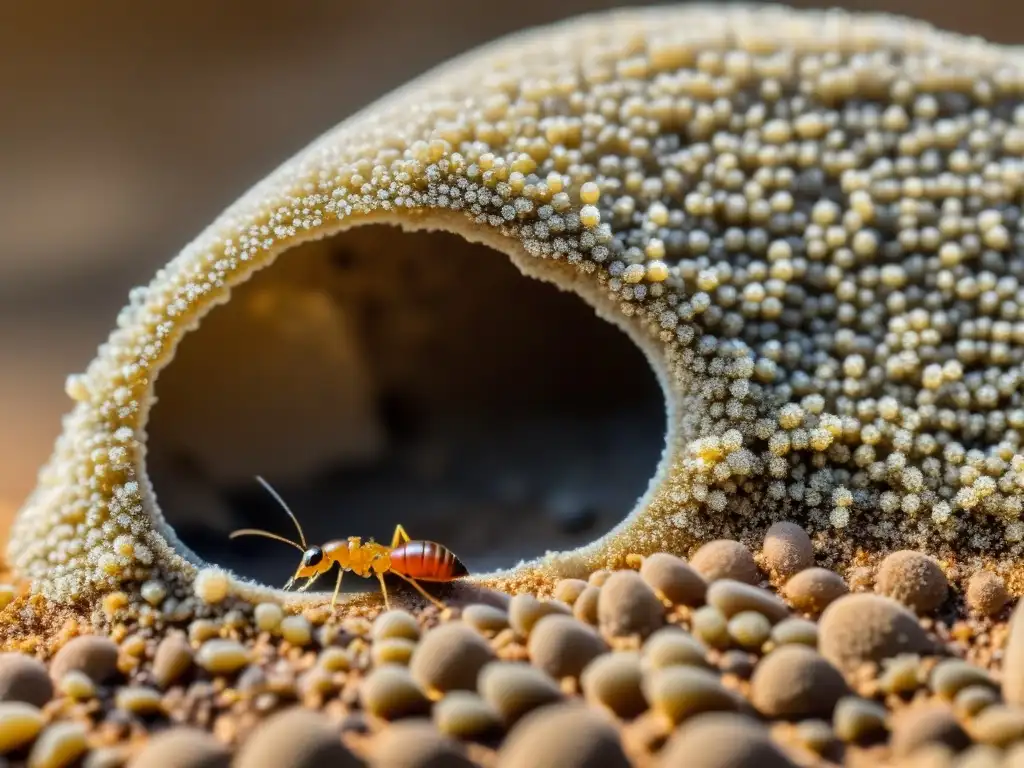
{"points": [[383, 377]]}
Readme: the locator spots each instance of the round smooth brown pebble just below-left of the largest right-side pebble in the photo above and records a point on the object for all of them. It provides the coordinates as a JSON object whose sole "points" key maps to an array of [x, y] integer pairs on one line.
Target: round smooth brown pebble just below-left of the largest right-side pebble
{"points": [[795, 681]]}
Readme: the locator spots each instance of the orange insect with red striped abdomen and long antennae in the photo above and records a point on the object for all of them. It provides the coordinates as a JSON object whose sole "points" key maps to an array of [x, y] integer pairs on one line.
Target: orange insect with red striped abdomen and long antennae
{"points": [[407, 559]]}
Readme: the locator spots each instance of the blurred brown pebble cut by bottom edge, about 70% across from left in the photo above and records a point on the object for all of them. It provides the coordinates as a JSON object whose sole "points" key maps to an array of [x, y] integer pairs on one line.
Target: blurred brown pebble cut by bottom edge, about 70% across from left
{"points": [[723, 741]]}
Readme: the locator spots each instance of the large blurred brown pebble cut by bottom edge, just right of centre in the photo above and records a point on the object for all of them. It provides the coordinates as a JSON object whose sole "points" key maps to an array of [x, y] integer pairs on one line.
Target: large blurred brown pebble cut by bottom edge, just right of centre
{"points": [[566, 736]]}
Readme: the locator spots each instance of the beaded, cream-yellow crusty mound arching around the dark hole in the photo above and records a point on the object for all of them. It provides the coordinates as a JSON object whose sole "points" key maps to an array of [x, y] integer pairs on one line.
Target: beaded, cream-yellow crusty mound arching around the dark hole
{"points": [[810, 223]]}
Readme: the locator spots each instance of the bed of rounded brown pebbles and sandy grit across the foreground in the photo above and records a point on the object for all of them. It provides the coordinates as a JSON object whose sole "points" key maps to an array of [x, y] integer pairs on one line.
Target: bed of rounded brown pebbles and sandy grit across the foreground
{"points": [[678, 663]]}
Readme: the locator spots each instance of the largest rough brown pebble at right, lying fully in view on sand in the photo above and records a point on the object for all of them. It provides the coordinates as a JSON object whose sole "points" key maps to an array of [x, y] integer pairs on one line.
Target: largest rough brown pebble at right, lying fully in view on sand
{"points": [[864, 627]]}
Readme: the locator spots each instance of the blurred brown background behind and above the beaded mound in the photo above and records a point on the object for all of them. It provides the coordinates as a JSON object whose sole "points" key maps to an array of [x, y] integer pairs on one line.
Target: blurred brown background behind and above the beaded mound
{"points": [[129, 127]]}
